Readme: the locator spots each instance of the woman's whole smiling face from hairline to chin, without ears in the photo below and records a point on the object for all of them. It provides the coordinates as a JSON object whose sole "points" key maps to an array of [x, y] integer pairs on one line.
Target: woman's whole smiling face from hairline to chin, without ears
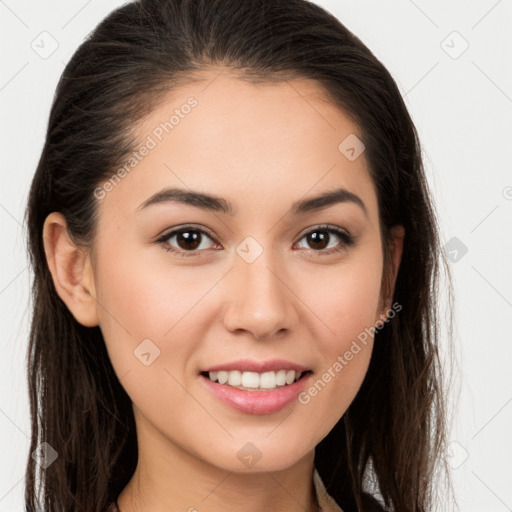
{"points": [[263, 285]]}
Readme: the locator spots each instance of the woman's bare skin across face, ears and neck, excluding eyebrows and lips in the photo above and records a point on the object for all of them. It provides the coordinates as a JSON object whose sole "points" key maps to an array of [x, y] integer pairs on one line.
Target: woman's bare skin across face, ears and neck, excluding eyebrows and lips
{"points": [[262, 148]]}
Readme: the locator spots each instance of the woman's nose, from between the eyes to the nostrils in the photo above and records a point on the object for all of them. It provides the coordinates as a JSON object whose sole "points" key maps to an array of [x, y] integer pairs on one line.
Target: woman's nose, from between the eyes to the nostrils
{"points": [[260, 299]]}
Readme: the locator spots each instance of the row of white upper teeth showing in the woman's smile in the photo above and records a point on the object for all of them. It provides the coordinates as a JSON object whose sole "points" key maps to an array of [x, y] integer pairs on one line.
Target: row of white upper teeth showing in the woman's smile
{"points": [[254, 380]]}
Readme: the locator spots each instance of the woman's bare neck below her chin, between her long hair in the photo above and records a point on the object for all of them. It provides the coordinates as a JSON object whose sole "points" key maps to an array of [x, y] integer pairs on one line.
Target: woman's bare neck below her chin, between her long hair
{"points": [[176, 480]]}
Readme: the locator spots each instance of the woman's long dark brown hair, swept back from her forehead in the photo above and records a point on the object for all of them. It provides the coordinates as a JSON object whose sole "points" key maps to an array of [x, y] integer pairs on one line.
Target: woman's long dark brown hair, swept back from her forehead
{"points": [[394, 432]]}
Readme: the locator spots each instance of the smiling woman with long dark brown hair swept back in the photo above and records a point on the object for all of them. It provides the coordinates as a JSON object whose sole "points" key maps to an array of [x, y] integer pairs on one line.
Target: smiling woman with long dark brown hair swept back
{"points": [[236, 260]]}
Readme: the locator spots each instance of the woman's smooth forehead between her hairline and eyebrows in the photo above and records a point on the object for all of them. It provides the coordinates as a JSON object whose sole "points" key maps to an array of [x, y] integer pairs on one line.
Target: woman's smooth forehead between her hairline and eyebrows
{"points": [[271, 142]]}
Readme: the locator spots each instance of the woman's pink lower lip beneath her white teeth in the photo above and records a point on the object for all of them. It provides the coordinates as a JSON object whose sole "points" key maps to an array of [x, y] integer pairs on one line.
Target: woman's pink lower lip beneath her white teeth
{"points": [[257, 402]]}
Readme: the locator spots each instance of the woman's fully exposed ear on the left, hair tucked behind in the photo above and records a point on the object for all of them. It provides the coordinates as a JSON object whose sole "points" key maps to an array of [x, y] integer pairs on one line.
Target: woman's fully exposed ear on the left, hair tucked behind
{"points": [[71, 270]]}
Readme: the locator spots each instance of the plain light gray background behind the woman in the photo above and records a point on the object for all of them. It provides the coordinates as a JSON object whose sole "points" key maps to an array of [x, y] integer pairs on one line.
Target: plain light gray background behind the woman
{"points": [[461, 104]]}
